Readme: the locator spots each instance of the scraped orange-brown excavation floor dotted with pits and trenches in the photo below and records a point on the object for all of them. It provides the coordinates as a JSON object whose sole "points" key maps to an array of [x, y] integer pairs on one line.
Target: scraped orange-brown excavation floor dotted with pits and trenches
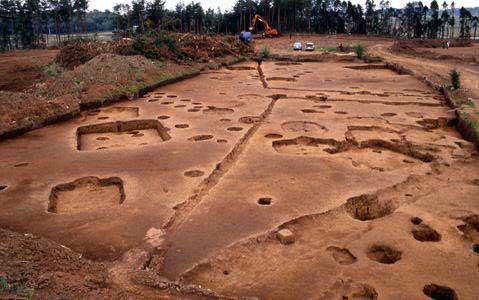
{"points": [[277, 181]]}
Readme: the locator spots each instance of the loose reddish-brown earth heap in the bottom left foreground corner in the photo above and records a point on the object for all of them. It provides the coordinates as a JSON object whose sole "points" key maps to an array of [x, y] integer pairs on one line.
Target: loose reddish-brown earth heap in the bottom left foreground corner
{"points": [[36, 266]]}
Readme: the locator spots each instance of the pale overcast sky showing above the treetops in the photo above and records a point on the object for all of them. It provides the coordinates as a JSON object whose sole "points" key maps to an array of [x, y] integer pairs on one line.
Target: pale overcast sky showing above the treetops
{"points": [[228, 4]]}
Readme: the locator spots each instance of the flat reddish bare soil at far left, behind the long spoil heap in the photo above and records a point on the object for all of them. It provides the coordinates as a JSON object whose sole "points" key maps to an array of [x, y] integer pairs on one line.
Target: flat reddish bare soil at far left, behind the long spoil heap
{"points": [[20, 70]]}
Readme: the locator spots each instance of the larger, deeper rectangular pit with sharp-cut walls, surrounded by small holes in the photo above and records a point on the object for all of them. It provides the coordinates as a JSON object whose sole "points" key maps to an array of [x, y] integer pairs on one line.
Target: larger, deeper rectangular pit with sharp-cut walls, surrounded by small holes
{"points": [[120, 134]]}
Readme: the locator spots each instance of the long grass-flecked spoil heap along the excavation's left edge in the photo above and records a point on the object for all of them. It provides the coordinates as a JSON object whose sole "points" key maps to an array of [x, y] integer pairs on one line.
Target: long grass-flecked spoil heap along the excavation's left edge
{"points": [[103, 78]]}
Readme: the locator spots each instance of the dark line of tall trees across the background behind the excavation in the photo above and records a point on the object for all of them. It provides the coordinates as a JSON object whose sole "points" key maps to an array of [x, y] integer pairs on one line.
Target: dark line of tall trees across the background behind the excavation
{"points": [[28, 23]]}
